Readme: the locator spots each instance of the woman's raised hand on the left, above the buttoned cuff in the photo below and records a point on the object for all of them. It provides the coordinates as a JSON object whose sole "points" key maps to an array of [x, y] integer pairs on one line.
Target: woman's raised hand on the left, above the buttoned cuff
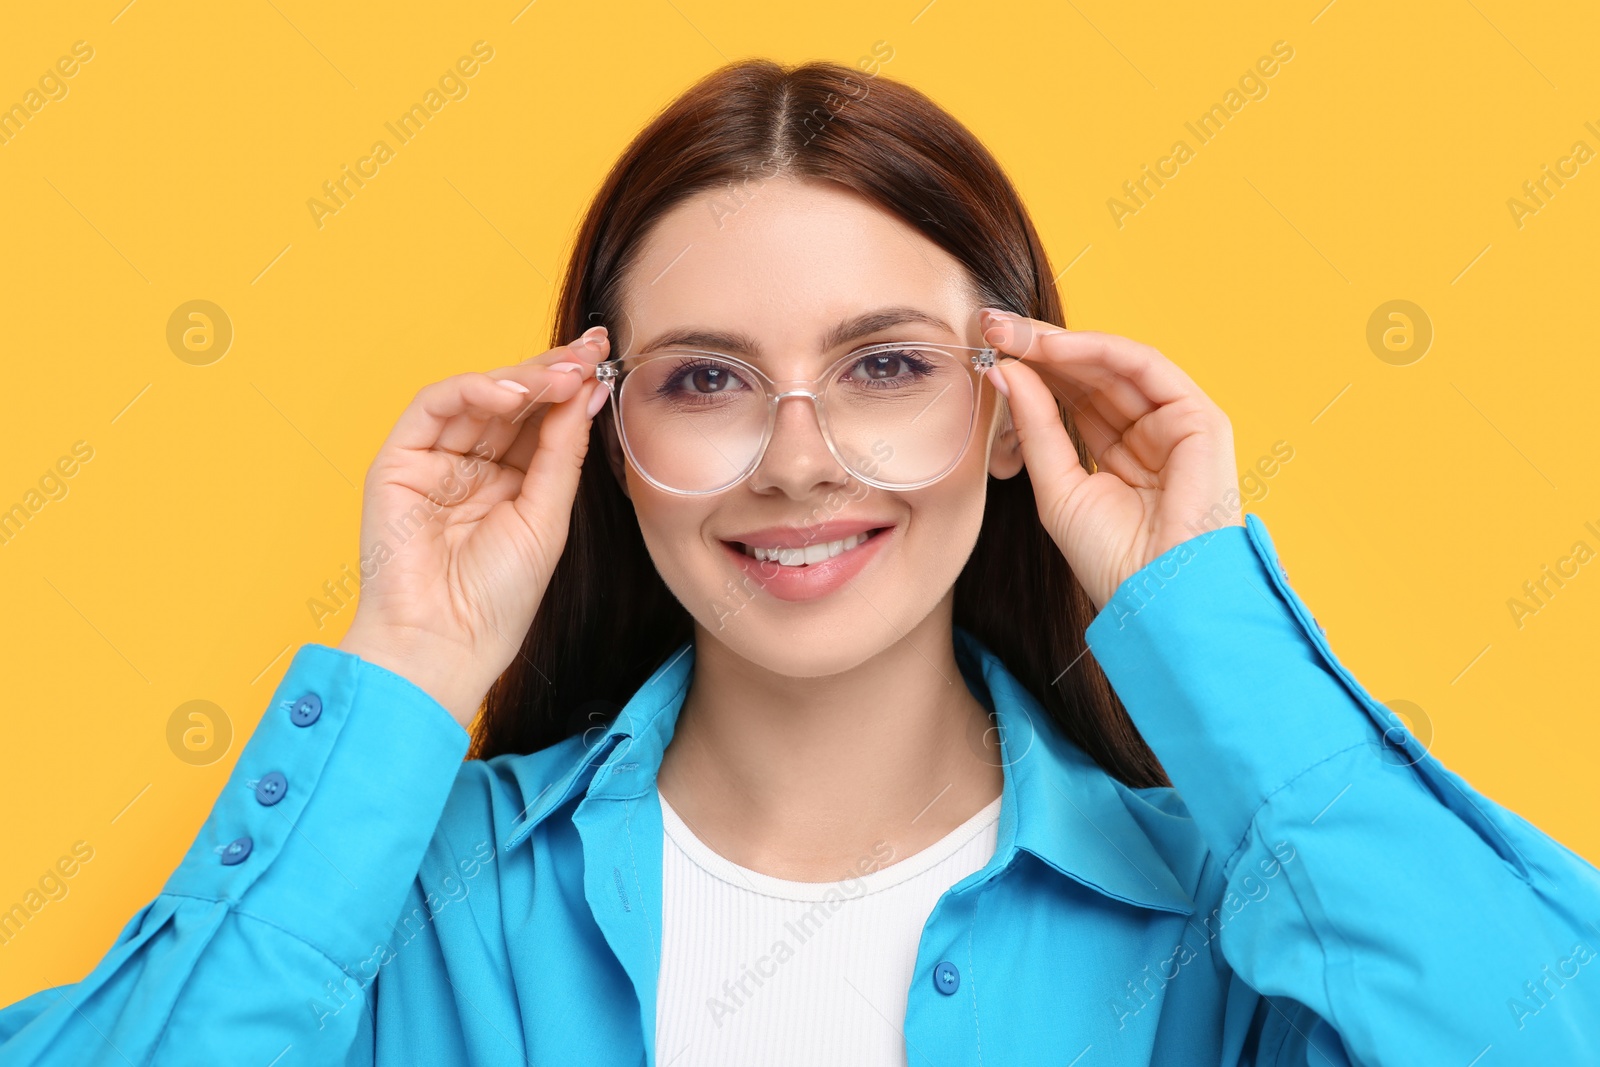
{"points": [[465, 514]]}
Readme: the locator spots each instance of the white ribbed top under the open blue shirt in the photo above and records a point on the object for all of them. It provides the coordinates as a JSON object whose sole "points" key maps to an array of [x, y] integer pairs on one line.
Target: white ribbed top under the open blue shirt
{"points": [[762, 970]]}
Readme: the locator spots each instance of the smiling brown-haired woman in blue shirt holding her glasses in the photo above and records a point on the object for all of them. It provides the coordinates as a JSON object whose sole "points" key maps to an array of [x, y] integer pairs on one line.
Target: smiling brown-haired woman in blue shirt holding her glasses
{"points": [[793, 748]]}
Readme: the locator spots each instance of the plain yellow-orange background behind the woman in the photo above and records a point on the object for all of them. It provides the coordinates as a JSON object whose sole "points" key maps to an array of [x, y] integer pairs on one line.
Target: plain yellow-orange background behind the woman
{"points": [[222, 494]]}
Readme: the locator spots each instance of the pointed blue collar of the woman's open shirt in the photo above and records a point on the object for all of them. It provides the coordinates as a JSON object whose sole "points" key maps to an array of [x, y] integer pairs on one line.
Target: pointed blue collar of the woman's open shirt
{"points": [[1057, 804]]}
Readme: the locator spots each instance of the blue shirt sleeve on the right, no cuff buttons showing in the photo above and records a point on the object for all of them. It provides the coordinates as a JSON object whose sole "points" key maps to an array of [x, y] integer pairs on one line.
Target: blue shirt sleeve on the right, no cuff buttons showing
{"points": [[1385, 909]]}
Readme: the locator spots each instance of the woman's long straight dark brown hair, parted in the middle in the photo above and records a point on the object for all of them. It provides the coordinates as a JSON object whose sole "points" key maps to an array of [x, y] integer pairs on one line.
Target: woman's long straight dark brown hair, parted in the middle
{"points": [[607, 620]]}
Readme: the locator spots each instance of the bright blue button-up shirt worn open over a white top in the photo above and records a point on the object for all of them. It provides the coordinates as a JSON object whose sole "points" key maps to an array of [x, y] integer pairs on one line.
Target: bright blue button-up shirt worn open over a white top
{"points": [[1316, 889]]}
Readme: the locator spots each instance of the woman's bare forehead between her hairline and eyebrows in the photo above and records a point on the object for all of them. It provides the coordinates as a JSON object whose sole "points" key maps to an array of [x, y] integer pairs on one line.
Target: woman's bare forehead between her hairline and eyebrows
{"points": [[783, 263]]}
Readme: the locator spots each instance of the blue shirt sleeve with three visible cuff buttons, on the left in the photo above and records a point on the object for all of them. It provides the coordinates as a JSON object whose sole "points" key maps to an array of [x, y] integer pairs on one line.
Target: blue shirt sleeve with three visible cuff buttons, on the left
{"points": [[271, 932]]}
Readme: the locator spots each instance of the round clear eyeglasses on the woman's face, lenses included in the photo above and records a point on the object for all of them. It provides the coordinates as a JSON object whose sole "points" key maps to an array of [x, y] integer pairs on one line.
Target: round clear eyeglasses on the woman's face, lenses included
{"points": [[895, 415]]}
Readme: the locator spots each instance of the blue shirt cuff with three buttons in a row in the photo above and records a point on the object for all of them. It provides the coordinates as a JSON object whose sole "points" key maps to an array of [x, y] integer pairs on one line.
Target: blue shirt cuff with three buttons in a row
{"points": [[324, 823]]}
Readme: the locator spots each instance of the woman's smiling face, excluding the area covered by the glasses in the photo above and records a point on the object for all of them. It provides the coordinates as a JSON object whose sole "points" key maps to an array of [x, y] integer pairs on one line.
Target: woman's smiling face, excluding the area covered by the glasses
{"points": [[783, 270]]}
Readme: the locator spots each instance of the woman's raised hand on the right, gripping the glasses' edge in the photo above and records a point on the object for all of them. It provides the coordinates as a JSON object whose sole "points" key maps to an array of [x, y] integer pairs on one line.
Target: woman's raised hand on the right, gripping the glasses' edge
{"points": [[1162, 449]]}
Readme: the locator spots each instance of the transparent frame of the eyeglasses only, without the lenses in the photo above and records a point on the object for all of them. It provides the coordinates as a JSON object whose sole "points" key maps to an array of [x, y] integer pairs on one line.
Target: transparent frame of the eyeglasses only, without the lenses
{"points": [[612, 375]]}
